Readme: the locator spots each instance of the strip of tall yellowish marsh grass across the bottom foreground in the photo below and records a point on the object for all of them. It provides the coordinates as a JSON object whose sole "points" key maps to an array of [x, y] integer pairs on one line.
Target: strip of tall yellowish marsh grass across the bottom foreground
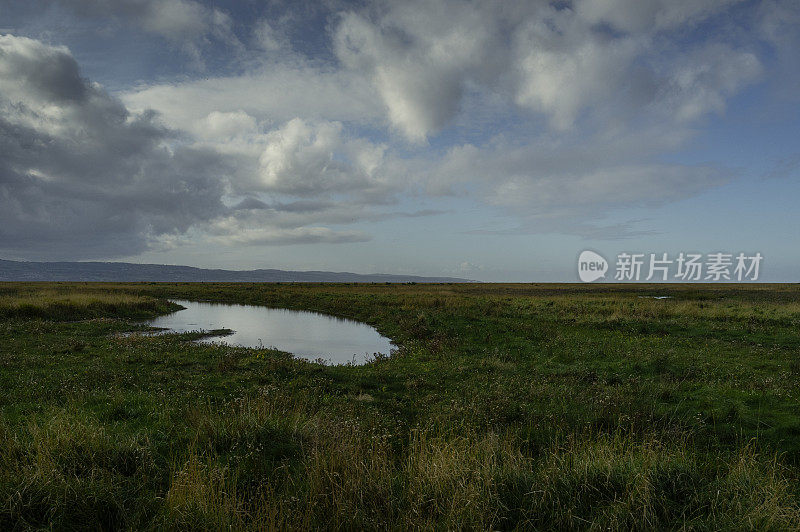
{"points": [[339, 474]]}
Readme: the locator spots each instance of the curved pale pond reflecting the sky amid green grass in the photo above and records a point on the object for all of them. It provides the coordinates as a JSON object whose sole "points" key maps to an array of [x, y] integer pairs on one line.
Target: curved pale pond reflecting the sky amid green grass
{"points": [[308, 335]]}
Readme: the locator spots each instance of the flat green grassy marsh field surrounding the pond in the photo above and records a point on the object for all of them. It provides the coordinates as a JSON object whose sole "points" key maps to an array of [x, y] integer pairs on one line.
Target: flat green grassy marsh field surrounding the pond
{"points": [[505, 407]]}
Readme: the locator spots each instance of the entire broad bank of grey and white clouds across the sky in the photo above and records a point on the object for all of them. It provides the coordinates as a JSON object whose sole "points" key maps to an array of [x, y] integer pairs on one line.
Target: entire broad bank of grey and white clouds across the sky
{"points": [[552, 114]]}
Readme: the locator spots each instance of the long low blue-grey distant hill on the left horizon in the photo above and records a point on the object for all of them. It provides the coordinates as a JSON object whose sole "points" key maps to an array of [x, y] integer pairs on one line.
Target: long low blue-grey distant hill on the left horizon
{"points": [[126, 272]]}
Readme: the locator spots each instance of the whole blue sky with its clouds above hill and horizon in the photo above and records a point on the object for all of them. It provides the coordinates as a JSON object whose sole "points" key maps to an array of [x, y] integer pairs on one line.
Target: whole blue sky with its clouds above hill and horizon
{"points": [[493, 141]]}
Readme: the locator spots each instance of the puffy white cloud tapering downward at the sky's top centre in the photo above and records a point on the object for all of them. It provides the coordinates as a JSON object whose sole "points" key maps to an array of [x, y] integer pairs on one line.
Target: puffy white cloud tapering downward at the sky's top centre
{"points": [[419, 57]]}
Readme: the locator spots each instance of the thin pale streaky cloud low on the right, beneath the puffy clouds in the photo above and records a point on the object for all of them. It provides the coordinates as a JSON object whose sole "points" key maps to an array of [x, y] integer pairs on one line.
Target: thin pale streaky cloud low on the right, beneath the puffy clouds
{"points": [[559, 185]]}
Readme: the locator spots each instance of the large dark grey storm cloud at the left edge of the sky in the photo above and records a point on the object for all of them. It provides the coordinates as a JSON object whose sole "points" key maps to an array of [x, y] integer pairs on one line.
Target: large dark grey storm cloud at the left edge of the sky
{"points": [[79, 174]]}
